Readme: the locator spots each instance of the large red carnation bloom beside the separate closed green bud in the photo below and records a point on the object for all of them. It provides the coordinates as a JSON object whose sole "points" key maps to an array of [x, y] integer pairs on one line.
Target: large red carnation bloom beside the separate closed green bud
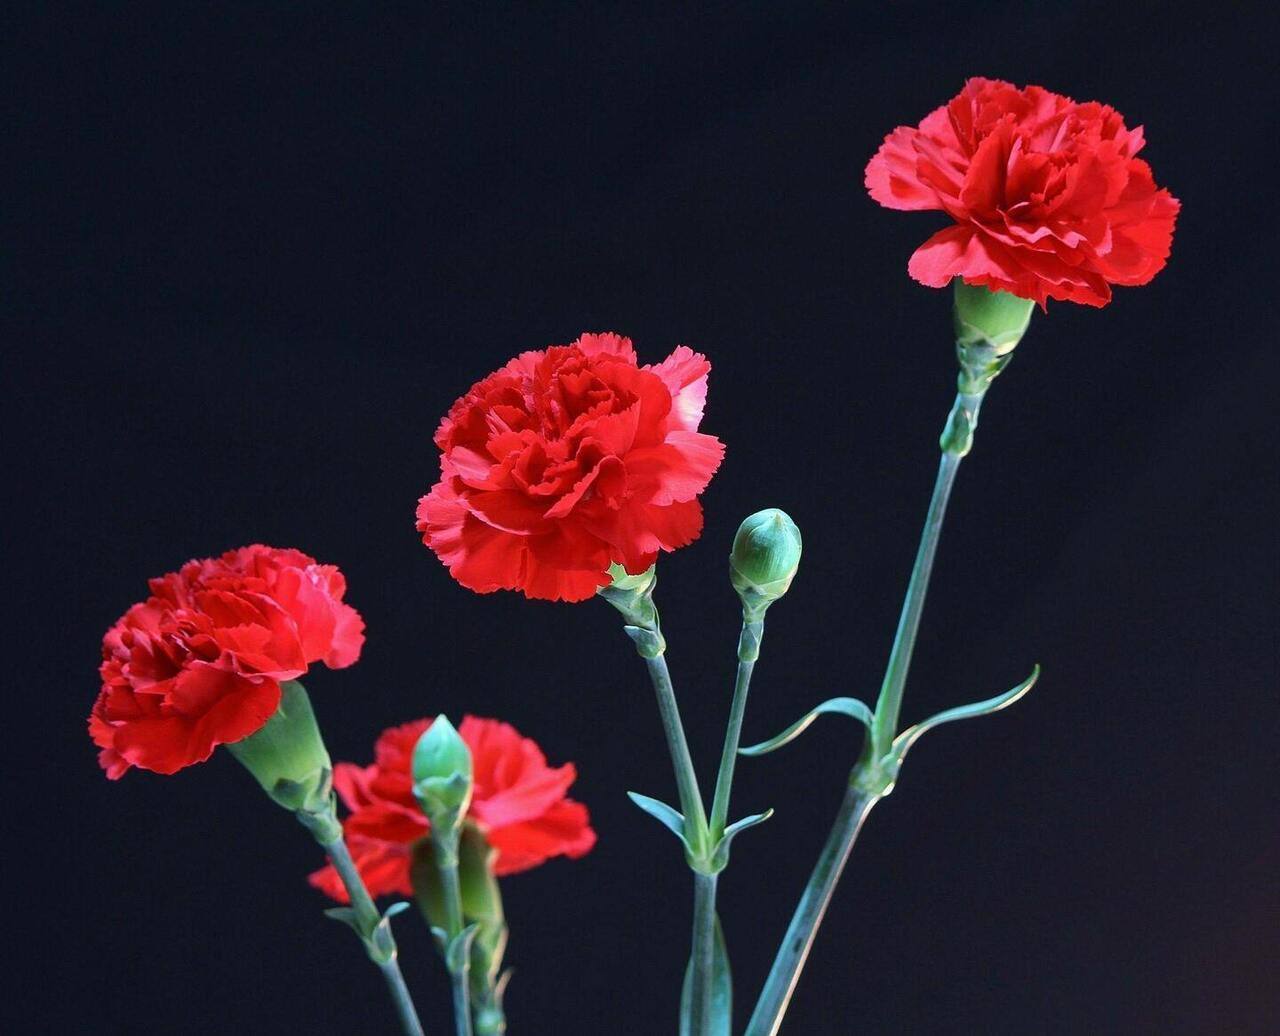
{"points": [[566, 460]]}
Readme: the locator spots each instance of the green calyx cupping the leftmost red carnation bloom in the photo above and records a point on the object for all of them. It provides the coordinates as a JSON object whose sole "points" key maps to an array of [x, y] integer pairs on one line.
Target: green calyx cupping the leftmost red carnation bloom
{"points": [[287, 755]]}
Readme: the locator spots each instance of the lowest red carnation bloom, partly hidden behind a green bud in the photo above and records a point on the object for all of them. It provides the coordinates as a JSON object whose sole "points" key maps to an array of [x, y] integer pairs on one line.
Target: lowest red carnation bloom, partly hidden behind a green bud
{"points": [[519, 802]]}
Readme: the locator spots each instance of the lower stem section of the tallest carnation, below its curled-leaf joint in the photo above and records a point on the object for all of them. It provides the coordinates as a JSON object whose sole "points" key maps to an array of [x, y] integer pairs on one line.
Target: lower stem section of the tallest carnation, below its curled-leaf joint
{"points": [[813, 905]]}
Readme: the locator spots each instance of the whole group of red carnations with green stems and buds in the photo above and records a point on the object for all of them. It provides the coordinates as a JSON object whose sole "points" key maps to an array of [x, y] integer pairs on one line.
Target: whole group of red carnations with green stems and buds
{"points": [[566, 476]]}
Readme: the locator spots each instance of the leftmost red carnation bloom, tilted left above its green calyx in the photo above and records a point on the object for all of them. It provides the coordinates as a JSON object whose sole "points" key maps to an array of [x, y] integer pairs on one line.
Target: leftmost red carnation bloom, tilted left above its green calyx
{"points": [[200, 663]]}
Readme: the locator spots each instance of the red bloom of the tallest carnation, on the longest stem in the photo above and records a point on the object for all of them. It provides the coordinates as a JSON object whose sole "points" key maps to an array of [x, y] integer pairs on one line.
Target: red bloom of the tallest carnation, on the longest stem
{"points": [[1048, 195]]}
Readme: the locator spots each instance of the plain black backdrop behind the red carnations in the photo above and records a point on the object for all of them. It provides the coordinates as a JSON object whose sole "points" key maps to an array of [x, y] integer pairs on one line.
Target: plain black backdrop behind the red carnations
{"points": [[253, 258]]}
